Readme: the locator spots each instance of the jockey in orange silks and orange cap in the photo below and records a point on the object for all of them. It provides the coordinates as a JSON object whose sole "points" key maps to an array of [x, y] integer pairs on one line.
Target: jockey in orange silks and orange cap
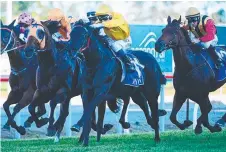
{"points": [[57, 15]]}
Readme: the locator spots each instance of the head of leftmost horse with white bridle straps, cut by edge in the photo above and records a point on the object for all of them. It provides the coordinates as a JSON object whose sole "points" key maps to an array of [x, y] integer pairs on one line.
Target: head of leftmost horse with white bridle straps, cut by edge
{"points": [[8, 37]]}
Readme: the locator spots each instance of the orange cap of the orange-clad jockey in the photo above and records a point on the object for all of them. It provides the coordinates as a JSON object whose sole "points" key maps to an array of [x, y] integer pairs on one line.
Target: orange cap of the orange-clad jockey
{"points": [[55, 14]]}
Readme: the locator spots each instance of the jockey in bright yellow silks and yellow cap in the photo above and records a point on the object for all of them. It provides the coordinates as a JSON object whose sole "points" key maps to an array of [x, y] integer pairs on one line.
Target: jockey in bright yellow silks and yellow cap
{"points": [[114, 30]]}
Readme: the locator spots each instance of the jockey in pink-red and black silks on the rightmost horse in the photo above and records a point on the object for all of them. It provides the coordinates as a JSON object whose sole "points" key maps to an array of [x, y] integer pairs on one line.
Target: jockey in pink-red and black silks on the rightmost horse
{"points": [[202, 31]]}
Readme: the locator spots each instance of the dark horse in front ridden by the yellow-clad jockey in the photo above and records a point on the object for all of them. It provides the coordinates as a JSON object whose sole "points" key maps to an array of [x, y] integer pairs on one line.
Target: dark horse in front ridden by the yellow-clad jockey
{"points": [[103, 78]]}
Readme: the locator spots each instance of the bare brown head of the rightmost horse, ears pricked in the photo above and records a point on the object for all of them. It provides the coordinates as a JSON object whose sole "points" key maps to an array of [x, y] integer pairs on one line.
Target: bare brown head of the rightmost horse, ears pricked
{"points": [[170, 37]]}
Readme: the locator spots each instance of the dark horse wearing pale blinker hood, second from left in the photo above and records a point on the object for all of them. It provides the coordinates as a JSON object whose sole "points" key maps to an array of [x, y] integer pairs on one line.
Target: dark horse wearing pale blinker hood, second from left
{"points": [[54, 73]]}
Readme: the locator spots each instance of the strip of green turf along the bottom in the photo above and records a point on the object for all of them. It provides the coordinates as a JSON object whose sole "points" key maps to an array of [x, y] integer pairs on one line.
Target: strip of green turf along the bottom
{"points": [[170, 141]]}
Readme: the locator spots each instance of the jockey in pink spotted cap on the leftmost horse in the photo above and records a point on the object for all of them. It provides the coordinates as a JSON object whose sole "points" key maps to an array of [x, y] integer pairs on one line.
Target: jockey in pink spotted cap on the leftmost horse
{"points": [[24, 21]]}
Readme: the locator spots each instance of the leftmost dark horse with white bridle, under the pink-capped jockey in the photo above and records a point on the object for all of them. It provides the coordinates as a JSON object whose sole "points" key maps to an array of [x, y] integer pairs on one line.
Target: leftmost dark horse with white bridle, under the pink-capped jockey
{"points": [[22, 76]]}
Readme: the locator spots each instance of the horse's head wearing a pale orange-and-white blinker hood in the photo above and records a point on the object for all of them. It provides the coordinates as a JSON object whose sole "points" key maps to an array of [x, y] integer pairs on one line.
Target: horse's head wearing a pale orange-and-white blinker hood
{"points": [[37, 36]]}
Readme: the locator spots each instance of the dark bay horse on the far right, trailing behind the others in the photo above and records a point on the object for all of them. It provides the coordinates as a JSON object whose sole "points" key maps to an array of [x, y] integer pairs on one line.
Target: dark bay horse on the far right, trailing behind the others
{"points": [[194, 77]]}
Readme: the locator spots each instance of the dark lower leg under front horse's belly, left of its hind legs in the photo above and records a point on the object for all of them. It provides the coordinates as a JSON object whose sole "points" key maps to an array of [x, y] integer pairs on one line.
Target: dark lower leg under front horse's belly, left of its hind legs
{"points": [[125, 125]]}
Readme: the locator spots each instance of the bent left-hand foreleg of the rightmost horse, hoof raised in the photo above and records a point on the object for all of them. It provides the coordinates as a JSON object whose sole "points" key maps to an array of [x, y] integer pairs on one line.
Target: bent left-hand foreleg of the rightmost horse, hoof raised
{"points": [[177, 104]]}
